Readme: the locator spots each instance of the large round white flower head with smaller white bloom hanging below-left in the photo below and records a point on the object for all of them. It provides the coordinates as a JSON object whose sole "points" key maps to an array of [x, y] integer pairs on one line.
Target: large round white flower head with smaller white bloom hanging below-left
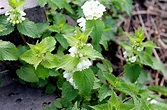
{"points": [[92, 10]]}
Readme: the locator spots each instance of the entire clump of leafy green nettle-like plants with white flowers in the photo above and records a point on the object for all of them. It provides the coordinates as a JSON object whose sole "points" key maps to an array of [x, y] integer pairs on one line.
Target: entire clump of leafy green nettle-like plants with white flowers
{"points": [[68, 59]]}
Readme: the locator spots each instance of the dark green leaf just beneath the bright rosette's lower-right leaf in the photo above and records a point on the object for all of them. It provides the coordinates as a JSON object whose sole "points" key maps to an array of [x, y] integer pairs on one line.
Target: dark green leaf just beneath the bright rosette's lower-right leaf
{"points": [[42, 72]]}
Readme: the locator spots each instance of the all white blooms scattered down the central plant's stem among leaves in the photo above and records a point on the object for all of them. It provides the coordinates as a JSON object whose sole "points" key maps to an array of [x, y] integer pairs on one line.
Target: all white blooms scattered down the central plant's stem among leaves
{"points": [[83, 64]]}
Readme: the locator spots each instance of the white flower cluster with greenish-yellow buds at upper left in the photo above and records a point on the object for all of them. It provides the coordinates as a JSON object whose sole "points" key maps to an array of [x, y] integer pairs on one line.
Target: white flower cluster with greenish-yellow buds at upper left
{"points": [[15, 16]]}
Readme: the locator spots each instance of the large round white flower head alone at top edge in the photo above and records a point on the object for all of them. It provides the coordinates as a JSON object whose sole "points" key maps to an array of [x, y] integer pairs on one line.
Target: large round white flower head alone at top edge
{"points": [[93, 9]]}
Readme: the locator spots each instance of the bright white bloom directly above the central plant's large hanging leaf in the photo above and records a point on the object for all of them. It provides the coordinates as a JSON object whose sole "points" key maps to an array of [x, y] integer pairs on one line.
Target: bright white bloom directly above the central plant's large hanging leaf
{"points": [[84, 64]]}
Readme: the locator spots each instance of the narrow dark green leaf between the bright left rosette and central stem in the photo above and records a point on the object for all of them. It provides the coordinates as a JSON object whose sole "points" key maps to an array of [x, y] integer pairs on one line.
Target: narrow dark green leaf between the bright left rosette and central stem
{"points": [[60, 38]]}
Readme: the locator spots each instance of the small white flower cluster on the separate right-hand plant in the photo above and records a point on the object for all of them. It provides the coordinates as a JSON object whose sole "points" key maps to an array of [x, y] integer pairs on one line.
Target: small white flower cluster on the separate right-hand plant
{"points": [[130, 57]]}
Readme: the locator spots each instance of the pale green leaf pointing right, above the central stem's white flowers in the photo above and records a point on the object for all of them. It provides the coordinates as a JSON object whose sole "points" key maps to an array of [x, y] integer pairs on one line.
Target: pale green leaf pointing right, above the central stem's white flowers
{"points": [[90, 52]]}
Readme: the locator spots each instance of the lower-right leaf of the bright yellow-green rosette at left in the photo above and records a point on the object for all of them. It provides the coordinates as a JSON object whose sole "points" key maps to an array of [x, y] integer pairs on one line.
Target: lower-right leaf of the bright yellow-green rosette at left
{"points": [[50, 61]]}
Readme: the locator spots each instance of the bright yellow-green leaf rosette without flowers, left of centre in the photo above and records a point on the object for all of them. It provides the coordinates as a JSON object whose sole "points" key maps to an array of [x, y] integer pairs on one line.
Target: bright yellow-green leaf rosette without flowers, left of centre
{"points": [[41, 54]]}
